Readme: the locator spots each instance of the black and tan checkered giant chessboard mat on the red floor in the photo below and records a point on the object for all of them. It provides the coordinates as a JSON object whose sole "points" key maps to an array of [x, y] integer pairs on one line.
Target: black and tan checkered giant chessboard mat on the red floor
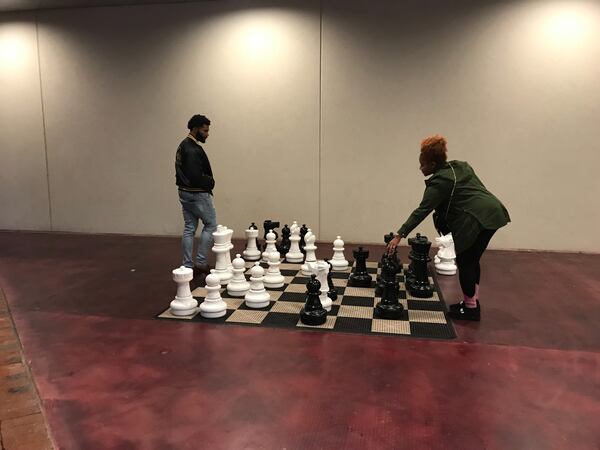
{"points": [[353, 311]]}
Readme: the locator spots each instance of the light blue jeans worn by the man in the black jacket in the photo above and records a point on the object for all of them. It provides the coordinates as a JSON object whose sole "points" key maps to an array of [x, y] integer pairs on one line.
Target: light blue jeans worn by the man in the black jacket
{"points": [[197, 206]]}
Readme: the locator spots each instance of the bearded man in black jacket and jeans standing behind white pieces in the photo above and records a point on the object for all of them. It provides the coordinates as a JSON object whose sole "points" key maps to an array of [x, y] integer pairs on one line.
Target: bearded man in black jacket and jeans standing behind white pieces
{"points": [[195, 181]]}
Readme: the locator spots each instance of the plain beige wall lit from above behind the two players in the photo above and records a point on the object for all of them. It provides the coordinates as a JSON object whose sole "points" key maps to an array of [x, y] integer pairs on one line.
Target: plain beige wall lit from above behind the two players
{"points": [[318, 109]]}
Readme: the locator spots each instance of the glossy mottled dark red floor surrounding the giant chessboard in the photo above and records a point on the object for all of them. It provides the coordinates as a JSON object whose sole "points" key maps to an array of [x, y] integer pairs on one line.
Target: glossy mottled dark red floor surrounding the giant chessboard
{"points": [[110, 377]]}
